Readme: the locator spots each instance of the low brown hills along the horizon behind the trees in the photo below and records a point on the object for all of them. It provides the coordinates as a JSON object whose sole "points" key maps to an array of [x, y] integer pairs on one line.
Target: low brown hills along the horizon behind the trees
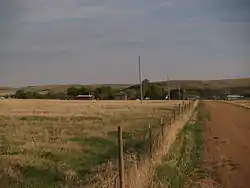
{"points": [[238, 85]]}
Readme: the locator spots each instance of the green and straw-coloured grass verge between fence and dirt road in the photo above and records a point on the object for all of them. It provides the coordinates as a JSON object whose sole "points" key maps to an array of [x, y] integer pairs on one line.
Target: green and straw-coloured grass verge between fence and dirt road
{"points": [[184, 161]]}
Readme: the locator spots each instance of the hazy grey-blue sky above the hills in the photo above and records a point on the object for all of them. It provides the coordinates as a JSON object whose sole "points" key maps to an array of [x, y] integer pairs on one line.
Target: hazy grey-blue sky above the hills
{"points": [[98, 41]]}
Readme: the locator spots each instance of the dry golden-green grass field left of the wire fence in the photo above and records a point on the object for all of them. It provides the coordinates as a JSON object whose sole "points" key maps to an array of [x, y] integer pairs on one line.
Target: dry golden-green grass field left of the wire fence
{"points": [[53, 143]]}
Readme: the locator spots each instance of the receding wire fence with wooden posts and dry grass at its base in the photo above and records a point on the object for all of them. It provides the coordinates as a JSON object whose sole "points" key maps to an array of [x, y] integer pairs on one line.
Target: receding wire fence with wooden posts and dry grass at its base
{"points": [[116, 175]]}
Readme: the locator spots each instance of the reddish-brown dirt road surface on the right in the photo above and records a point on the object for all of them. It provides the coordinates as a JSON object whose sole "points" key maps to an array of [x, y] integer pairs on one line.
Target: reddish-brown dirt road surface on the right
{"points": [[227, 148]]}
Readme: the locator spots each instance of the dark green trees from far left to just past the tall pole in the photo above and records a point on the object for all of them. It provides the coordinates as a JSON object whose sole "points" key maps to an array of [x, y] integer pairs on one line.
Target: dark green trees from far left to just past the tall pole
{"points": [[151, 91]]}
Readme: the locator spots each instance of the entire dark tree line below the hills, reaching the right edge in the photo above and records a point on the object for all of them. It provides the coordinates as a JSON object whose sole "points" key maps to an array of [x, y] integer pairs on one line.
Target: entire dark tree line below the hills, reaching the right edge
{"points": [[152, 91]]}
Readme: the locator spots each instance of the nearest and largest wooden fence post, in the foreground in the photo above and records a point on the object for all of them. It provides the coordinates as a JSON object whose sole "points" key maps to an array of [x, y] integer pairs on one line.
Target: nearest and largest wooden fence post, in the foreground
{"points": [[121, 160]]}
